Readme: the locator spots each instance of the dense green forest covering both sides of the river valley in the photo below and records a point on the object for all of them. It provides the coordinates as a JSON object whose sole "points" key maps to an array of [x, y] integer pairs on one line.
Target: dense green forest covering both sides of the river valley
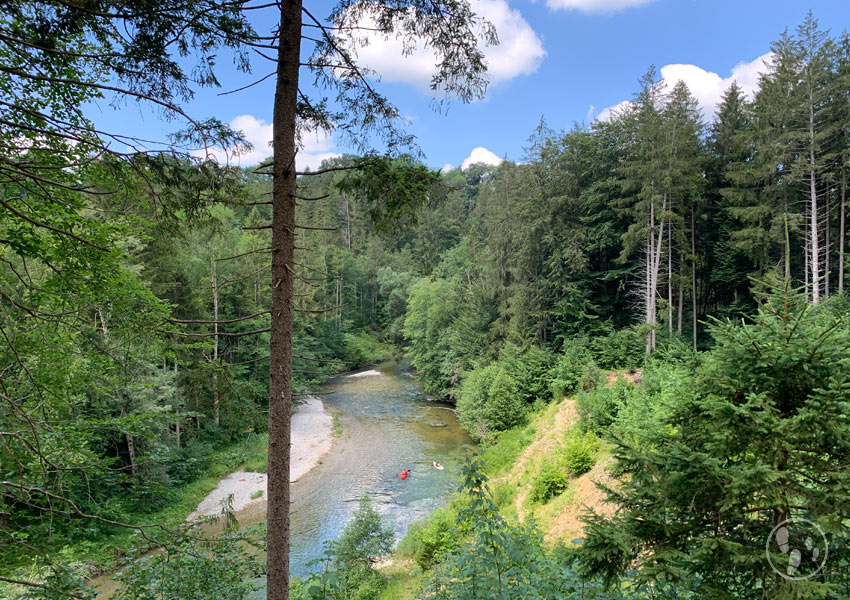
{"points": [[136, 315]]}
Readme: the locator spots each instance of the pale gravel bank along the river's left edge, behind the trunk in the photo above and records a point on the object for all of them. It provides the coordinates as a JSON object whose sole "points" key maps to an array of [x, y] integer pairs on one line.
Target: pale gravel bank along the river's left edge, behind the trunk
{"points": [[312, 435]]}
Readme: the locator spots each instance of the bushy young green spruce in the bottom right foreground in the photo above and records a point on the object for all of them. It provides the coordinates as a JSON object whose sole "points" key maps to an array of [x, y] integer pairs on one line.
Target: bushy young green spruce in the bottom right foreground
{"points": [[760, 436]]}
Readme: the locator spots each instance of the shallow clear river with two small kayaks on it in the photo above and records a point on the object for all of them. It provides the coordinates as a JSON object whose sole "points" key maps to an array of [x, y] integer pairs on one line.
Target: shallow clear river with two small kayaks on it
{"points": [[388, 424]]}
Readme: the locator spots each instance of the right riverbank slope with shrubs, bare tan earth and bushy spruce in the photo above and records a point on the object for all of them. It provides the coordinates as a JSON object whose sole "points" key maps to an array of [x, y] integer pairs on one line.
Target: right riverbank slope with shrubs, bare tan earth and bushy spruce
{"points": [[694, 462]]}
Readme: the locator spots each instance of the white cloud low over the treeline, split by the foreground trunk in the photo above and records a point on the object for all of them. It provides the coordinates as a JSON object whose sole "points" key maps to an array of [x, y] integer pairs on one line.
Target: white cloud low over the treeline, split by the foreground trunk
{"points": [[316, 146]]}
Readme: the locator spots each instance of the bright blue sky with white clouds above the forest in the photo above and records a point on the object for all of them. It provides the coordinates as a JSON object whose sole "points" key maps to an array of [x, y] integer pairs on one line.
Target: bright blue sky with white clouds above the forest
{"points": [[564, 60]]}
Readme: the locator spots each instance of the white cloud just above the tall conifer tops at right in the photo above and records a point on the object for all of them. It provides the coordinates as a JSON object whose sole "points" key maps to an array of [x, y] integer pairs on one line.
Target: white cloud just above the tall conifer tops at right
{"points": [[706, 86]]}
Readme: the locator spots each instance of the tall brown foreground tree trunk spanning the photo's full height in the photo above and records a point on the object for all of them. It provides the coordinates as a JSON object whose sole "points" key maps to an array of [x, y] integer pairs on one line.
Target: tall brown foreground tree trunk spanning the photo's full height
{"points": [[283, 264]]}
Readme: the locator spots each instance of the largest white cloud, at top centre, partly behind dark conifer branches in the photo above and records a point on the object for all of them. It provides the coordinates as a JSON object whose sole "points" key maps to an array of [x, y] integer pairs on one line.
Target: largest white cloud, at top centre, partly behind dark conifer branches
{"points": [[519, 52]]}
